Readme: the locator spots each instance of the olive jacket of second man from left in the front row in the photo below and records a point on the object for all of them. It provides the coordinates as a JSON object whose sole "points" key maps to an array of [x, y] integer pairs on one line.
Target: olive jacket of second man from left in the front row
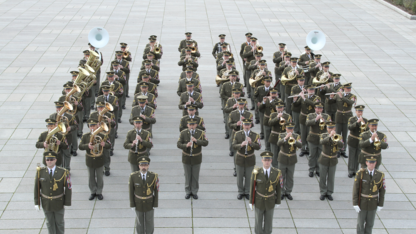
{"points": [[144, 195]]}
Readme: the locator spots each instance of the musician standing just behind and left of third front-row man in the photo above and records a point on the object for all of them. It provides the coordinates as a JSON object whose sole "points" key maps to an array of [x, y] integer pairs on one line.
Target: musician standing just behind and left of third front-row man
{"points": [[245, 142]]}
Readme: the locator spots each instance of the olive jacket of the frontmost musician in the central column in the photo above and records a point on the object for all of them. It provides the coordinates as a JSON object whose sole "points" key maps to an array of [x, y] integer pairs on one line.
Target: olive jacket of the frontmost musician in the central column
{"points": [[194, 157]]}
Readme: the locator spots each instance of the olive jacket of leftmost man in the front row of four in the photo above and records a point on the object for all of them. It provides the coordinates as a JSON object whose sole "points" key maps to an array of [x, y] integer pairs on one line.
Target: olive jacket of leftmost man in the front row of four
{"points": [[59, 184]]}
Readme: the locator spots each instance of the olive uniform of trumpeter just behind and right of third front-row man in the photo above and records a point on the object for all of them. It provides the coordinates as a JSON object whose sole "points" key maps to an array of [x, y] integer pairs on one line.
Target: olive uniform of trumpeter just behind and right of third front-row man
{"points": [[287, 160]]}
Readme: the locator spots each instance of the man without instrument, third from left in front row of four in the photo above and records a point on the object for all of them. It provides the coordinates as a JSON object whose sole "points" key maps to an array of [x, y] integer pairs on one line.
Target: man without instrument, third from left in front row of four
{"points": [[265, 190]]}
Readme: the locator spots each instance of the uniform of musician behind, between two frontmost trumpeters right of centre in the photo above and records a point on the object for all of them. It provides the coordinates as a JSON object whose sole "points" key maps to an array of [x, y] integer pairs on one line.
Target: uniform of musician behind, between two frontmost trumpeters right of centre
{"points": [[313, 139]]}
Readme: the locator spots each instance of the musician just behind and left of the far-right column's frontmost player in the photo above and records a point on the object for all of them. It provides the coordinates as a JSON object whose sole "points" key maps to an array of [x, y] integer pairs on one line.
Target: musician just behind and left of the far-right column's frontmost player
{"points": [[356, 125]]}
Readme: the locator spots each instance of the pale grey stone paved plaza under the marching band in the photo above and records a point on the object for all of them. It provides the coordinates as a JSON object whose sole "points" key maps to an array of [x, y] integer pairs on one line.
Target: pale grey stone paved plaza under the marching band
{"points": [[41, 41]]}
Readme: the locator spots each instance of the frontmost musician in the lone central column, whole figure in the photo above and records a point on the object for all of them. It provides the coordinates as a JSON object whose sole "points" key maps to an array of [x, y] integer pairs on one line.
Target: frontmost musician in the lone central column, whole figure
{"points": [[190, 142]]}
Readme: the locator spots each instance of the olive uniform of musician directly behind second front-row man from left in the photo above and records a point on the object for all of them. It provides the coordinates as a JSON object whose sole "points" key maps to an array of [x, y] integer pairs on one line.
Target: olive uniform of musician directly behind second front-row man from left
{"points": [[139, 150]]}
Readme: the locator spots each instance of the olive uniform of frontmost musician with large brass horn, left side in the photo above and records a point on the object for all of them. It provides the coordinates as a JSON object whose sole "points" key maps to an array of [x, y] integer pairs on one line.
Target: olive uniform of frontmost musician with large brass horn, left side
{"points": [[95, 164]]}
